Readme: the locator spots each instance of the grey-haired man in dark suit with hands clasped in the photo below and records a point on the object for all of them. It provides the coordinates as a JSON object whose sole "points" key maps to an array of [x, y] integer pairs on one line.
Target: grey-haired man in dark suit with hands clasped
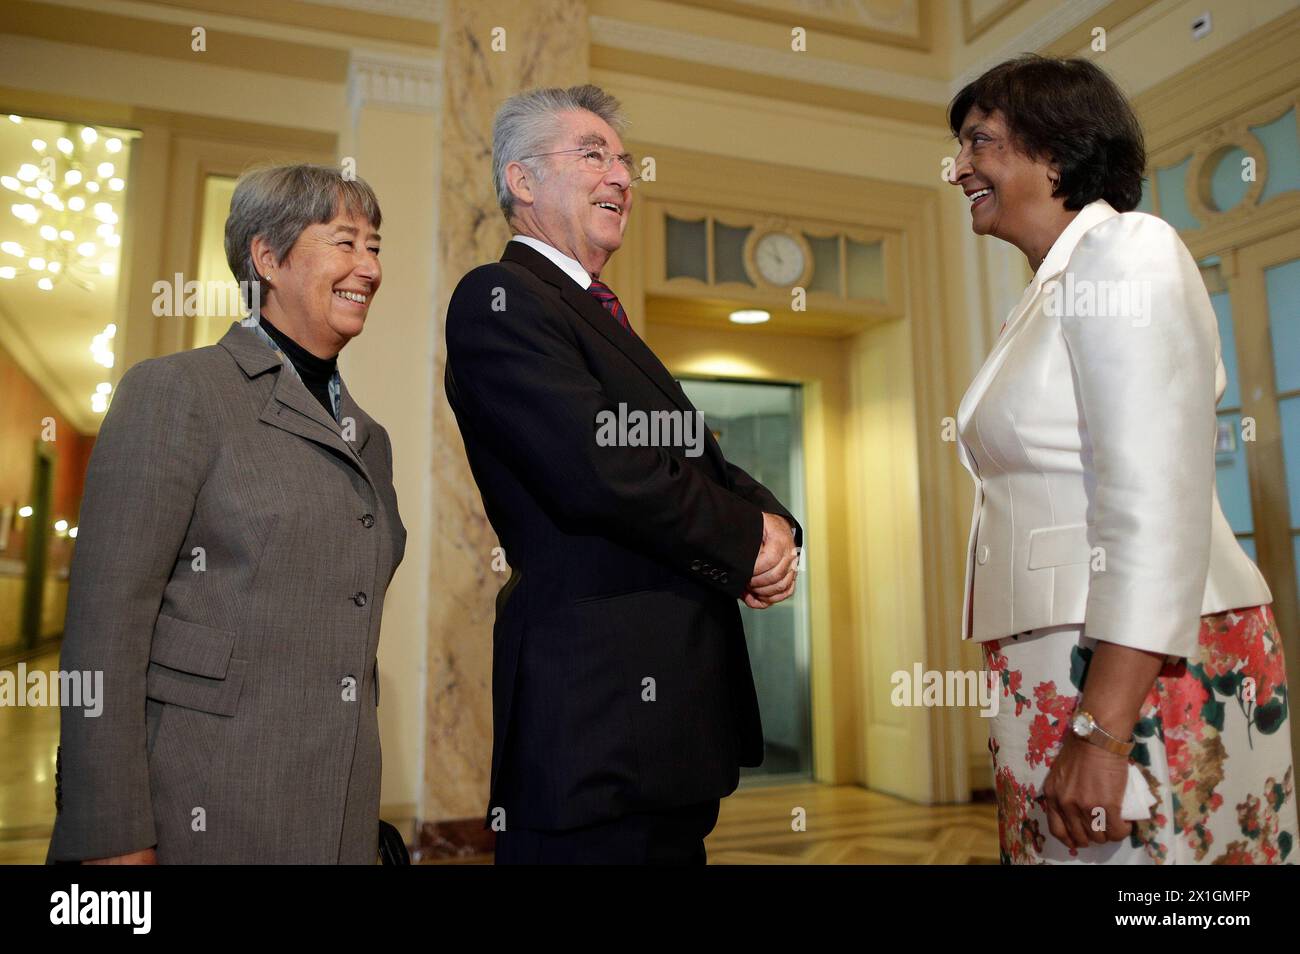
{"points": [[623, 701]]}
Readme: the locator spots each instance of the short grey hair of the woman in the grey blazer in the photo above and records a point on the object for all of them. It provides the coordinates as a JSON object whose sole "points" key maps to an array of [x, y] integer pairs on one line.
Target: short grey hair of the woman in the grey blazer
{"points": [[279, 202]]}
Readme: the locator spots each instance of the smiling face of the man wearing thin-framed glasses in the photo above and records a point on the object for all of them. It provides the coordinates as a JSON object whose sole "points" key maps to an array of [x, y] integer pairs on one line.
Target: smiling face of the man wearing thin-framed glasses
{"points": [[575, 209]]}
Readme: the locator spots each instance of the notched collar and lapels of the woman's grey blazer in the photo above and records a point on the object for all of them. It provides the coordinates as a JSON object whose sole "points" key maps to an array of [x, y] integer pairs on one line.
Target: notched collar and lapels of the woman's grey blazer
{"points": [[292, 407]]}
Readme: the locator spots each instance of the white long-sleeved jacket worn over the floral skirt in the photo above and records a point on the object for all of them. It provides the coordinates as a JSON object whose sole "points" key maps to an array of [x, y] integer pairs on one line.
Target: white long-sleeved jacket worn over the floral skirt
{"points": [[1090, 433]]}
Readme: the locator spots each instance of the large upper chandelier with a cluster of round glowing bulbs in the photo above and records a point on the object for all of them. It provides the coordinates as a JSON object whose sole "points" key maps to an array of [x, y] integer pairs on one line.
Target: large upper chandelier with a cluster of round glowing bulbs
{"points": [[68, 200]]}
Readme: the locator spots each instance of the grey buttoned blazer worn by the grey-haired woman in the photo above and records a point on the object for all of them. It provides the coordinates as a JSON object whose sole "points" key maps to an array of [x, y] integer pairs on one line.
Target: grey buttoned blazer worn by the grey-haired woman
{"points": [[233, 552]]}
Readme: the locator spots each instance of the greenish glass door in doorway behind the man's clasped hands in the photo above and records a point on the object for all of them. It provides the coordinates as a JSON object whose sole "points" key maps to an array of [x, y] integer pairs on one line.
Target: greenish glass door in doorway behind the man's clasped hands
{"points": [[759, 428]]}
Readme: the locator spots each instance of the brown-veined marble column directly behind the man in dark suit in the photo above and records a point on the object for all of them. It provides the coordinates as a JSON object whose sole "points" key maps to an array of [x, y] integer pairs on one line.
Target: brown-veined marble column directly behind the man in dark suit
{"points": [[545, 45]]}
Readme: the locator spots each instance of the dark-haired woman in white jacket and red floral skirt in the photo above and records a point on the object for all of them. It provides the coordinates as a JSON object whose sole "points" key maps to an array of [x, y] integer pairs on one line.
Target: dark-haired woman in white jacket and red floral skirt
{"points": [[1145, 701]]}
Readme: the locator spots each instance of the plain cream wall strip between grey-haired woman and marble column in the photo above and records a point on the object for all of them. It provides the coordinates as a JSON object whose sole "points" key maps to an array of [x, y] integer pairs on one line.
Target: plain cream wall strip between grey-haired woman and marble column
{"points": [[391, 370]]}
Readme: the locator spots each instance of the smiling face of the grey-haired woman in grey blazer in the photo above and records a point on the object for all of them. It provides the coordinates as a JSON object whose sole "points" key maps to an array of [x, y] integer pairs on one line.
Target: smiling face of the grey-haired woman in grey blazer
{"points": [[322, 292]]}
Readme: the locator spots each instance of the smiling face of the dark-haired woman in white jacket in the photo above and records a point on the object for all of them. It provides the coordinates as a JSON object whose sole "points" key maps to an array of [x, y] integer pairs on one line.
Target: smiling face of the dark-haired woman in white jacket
{"points": [[1011, 192]]}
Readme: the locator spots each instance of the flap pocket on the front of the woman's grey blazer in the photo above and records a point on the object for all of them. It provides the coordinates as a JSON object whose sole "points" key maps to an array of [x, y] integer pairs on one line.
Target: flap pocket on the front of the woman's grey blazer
{"points": [[190, 666]]}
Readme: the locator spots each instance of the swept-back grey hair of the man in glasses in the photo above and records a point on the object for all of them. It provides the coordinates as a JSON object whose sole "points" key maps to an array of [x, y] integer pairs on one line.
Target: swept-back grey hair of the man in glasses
{"points": [[526, 127]]}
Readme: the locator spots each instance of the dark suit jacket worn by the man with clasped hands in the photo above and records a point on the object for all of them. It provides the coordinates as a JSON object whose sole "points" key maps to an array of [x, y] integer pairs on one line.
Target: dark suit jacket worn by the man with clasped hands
{"points": [[621, 678]]}
